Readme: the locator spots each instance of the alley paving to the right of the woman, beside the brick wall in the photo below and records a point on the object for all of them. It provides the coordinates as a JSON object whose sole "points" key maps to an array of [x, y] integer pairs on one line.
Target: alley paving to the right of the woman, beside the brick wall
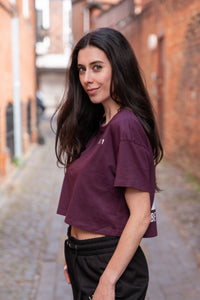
{"points": [[174, 256]]}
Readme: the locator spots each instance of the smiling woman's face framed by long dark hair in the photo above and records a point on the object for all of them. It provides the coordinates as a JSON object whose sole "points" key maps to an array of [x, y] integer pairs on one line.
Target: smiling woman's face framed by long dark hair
{"points": [[95, 74]]}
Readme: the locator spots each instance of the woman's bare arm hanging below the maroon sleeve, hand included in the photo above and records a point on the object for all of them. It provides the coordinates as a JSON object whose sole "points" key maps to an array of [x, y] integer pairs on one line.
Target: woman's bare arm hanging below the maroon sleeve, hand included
{"points": [[140, 216]]}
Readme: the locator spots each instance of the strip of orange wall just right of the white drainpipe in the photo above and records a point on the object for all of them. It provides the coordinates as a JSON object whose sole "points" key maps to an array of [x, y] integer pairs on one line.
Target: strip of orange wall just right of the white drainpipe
{"points": [[28, 71]]}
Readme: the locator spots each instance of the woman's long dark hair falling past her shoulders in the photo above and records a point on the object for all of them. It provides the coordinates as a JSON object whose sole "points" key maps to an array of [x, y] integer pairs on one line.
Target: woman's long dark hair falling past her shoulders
{"points": [[78, 118]]}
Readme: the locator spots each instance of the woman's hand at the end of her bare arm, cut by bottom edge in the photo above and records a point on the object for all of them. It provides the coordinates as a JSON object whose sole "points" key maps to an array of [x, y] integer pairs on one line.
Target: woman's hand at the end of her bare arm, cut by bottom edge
{"points": [[104, 291]]}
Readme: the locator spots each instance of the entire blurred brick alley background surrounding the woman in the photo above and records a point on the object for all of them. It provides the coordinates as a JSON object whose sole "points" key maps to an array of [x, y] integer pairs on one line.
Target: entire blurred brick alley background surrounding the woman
{"points": [[36, 39]]}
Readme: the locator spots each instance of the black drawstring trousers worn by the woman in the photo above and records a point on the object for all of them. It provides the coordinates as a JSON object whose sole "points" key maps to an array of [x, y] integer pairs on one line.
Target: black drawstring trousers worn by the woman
{"points": [[87, 259]]}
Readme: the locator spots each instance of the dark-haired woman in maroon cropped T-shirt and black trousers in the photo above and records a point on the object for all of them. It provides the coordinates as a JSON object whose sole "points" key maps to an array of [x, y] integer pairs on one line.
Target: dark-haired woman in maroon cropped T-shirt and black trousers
{"points": [[108, 141]]}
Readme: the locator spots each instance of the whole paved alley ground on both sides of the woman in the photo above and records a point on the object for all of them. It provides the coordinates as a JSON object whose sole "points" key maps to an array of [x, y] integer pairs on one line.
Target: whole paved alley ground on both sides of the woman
{"points": [[32, 235]]}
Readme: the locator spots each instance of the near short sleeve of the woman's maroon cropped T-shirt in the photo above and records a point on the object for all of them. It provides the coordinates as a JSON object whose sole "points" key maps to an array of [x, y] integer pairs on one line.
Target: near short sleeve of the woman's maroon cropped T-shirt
{"points": [[133, 168]]}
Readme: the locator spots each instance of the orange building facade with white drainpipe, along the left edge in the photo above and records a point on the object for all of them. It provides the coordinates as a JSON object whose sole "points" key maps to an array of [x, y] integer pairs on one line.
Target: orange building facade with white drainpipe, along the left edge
{"points": [[18, 120]]}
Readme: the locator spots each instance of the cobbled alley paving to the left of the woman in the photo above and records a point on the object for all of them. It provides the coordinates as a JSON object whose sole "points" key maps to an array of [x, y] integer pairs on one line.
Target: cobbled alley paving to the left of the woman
{"points": [[31, 234]]}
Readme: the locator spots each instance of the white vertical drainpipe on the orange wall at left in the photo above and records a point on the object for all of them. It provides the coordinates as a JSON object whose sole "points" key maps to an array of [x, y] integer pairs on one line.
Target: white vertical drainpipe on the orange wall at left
{"points": [[16, 83]]}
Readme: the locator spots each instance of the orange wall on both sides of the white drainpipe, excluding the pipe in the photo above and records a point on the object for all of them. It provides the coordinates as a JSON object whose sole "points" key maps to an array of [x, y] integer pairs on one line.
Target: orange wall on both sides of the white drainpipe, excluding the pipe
{"points": [[27, 77]]}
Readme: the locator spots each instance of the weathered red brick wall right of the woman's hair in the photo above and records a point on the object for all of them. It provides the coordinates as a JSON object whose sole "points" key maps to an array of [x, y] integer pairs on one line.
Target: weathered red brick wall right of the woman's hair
{"points": [[178, 23]]}
